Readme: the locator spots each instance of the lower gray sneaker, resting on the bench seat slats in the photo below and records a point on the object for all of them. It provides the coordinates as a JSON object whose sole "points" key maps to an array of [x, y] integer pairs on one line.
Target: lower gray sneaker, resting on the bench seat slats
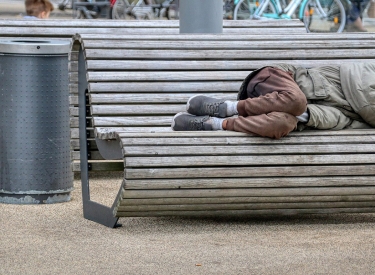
{"points": [[187, 122]]}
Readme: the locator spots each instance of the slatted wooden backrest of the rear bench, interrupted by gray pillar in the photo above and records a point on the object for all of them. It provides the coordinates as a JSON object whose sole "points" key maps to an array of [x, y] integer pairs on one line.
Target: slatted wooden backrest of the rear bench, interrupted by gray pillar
{"points": [[68, 28]]}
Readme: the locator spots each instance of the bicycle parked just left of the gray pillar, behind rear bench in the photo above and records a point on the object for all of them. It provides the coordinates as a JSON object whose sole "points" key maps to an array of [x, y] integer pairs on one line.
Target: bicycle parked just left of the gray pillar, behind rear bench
{"points": [[144, 9]]}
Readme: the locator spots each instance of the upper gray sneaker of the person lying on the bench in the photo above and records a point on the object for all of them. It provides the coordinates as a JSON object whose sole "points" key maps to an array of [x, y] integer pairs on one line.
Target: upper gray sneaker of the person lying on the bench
{"points": [[201, 105]]}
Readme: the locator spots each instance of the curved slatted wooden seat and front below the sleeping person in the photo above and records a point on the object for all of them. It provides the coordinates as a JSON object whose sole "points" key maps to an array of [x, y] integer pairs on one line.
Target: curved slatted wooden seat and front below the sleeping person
{"points": [[212, 173]]}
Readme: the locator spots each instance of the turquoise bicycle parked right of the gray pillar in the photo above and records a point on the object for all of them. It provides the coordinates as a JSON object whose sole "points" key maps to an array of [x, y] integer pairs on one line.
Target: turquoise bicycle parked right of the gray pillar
{"points": [[317, 15]]}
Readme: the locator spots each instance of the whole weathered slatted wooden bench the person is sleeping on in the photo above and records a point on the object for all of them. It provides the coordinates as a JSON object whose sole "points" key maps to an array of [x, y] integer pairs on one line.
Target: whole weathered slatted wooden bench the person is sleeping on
{"points": [[129, 89]]}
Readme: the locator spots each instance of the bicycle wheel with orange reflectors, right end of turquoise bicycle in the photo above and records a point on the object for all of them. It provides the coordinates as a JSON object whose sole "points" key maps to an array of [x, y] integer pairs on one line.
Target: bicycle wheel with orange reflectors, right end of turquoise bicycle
{"points": [[324, 16]]}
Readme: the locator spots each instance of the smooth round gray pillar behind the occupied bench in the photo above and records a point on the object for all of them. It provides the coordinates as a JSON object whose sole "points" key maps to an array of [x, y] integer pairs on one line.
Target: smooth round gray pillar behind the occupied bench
{"points": [[201, 16]]}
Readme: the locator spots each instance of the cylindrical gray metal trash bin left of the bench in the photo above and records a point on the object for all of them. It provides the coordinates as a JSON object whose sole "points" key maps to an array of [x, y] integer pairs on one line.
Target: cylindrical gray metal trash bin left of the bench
{"points": [[34, 122]]}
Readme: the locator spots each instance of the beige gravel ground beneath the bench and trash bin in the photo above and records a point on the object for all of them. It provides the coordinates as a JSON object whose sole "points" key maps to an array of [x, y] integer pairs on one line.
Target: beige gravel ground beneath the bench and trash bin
{"points": [[56, 239]]}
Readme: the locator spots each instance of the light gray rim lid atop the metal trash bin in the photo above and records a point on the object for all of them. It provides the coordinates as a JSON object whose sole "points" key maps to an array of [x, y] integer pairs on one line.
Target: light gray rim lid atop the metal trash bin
{"points": [[37, 46]]}
